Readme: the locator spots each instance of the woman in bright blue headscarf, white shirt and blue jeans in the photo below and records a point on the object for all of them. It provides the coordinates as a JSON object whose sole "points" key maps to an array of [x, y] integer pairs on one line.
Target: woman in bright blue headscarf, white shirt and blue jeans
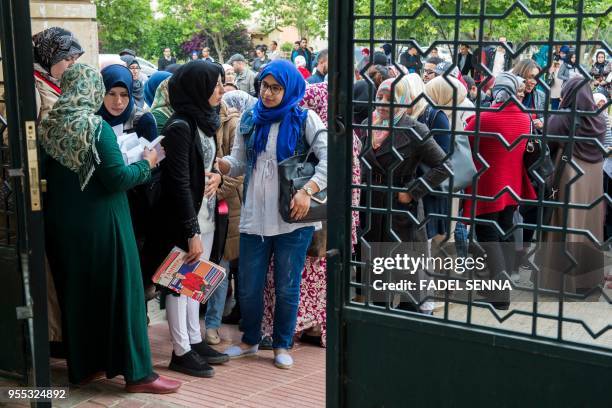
{"points": [[271, 131]]}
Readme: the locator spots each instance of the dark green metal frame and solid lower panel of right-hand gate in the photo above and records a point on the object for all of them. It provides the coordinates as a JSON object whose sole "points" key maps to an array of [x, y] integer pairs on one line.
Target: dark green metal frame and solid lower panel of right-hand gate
{"points": [[379, 359]]}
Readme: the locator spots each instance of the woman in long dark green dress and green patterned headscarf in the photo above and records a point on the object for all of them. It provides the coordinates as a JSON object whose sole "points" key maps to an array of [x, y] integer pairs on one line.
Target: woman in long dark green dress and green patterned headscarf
{"points": [[91, 241]]}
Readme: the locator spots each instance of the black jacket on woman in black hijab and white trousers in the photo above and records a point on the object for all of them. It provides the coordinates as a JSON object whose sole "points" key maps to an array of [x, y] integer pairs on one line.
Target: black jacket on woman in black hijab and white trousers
{"points": [[182, 185]]}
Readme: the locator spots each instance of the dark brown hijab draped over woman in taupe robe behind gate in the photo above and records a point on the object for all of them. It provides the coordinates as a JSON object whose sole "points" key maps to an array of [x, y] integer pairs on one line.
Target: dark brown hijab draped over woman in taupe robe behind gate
{"points": [[576, 92]]}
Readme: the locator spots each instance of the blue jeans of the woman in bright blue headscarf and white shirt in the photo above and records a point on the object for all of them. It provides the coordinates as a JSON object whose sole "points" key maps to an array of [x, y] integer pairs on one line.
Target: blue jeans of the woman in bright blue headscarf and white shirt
{"points": [[289, 252]]}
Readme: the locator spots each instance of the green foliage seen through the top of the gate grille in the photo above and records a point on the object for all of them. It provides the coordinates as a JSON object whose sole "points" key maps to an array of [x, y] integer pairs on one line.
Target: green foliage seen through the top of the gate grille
{"points": [[516, 27]]}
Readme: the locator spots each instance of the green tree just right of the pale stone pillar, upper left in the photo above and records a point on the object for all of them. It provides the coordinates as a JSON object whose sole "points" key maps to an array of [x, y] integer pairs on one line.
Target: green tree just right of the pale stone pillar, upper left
{"points": [[118, 29]]}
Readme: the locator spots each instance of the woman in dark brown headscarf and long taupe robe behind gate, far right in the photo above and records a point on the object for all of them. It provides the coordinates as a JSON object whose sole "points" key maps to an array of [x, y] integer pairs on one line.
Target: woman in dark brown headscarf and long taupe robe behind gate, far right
{"points": [[586, 155]]}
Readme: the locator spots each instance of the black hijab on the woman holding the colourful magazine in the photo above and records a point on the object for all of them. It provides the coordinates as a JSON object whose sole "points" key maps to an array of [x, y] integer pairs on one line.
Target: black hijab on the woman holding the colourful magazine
{"points": [[190, 87]]}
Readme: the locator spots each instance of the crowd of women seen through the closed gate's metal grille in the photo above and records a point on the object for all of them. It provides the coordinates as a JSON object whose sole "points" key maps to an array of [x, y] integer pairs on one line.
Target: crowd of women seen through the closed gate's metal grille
{"points": [[507, 178]]}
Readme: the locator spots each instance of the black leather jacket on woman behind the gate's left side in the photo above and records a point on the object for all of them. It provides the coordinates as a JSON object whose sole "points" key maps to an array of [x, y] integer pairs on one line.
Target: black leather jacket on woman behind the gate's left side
{"points": [[413, 151]]}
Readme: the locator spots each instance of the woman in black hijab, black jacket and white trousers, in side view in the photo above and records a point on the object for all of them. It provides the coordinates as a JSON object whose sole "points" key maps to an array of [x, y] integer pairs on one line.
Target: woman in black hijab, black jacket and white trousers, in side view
{"points": [[186, 210]]}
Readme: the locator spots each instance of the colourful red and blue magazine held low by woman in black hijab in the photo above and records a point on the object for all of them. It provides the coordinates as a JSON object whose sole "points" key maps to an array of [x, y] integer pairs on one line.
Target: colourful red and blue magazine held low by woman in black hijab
{"points": [[197, 280]]}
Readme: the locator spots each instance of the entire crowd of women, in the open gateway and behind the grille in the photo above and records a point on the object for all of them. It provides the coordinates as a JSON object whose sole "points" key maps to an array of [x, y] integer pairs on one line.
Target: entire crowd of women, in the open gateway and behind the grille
{"points": [[216, 195]]}
